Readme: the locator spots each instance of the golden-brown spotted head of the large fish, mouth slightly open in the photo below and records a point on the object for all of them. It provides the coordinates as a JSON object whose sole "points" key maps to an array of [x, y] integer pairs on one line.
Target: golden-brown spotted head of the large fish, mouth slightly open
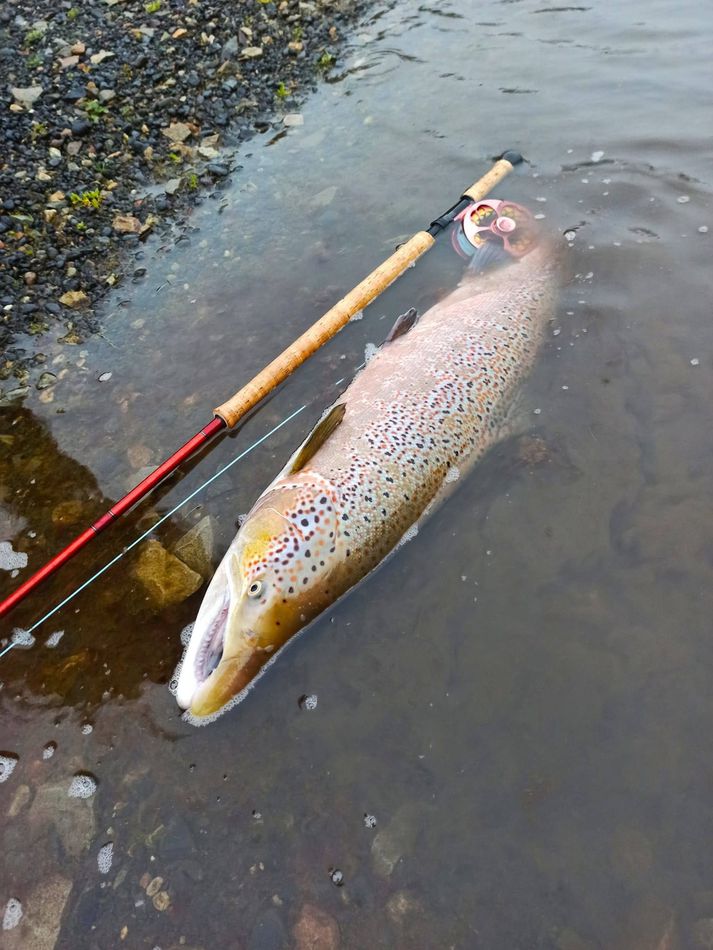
{"points": [[275, 577]]}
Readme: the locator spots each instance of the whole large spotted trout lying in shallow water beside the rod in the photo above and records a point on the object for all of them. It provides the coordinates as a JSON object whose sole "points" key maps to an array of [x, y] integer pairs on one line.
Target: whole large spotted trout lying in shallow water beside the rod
{"points": [[432, 400]]}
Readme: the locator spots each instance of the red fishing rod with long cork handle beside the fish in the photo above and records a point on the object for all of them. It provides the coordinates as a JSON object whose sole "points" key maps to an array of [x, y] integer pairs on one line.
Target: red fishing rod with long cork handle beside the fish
{"points": [[229, 413]]}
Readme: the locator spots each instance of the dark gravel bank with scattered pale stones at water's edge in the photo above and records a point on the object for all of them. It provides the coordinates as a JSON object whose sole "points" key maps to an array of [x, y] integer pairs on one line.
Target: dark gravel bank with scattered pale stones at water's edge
{"points": [[116, 114]]}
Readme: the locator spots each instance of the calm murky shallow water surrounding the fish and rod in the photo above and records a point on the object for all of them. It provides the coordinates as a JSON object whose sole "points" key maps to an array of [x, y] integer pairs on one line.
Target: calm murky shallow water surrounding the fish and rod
{"points": [[521, 697]]}
